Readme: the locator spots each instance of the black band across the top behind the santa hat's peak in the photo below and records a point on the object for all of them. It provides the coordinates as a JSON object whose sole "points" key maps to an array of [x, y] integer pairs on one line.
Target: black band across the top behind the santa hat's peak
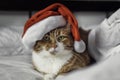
{"points": [[74, 5]]}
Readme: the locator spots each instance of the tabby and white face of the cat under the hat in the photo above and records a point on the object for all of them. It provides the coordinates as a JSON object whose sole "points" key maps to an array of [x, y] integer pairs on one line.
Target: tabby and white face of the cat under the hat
{"points": [[56, 42]]}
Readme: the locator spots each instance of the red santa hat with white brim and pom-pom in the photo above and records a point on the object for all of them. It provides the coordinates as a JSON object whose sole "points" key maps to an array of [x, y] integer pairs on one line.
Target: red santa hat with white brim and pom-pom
{"points": [[54, 16]]}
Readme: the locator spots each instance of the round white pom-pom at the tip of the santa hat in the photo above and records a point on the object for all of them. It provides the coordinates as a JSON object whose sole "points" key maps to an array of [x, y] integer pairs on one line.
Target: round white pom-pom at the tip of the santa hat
{"points": [[79, 46]]}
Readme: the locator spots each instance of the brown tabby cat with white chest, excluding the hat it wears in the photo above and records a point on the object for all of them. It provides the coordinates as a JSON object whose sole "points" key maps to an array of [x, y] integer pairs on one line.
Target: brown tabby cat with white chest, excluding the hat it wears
{"points": [[54, 54]]}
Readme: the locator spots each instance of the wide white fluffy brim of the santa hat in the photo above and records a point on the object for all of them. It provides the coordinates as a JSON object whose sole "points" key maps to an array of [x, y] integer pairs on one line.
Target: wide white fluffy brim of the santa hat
{"points": [[38, 30]]}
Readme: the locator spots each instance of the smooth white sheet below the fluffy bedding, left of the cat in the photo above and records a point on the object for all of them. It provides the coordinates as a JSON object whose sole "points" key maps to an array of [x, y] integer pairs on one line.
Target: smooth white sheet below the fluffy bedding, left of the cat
{"points": [[17, 68]]}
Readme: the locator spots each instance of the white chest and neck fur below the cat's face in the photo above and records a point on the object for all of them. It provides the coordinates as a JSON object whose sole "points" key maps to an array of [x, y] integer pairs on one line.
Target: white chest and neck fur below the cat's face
{"points": [[51, 64]]}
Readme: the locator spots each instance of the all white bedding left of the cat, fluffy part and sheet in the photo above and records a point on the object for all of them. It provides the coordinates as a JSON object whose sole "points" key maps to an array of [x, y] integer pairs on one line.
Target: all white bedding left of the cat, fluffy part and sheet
{"points": [[15, 60]]}
